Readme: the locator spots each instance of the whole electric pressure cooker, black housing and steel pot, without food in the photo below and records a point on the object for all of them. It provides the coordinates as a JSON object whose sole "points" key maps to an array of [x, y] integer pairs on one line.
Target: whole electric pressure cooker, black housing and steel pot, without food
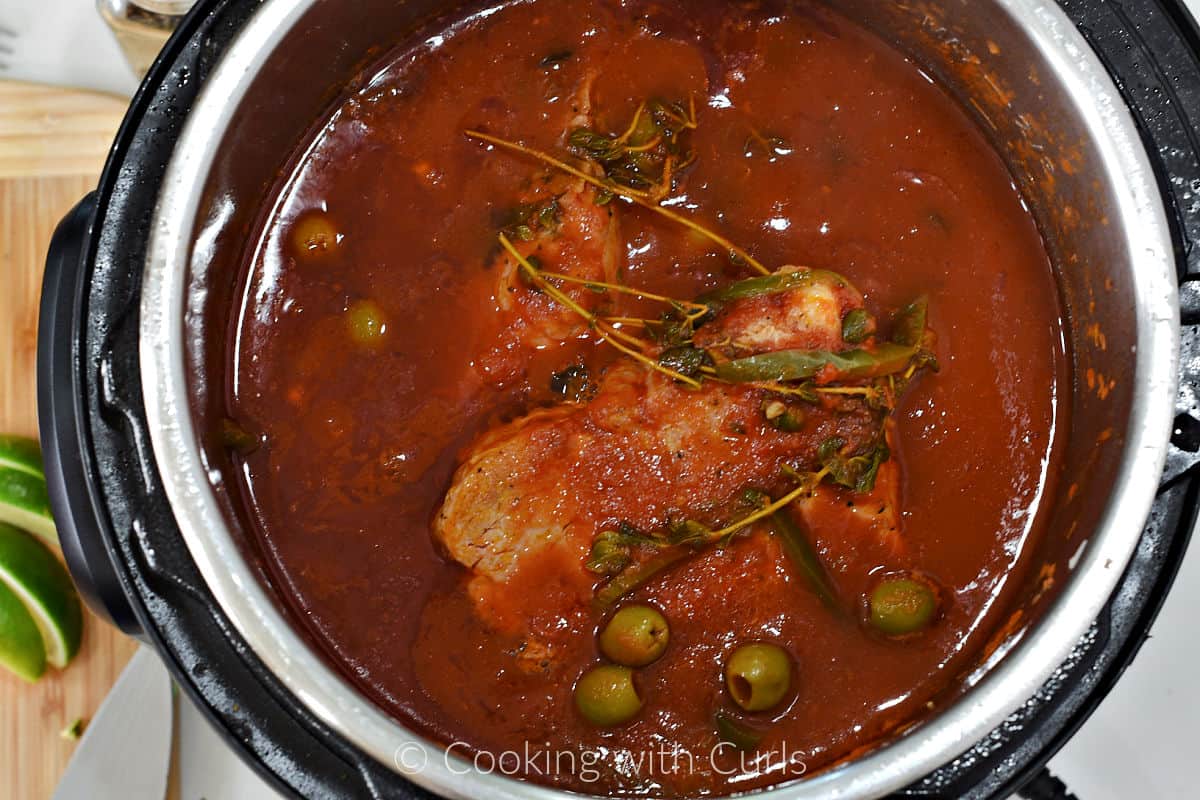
{"points": [[1096, 107]]}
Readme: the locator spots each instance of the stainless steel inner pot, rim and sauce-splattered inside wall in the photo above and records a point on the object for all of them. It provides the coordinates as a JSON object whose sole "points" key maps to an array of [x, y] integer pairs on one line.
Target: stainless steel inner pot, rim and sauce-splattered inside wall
{"points": [[1019, 67]]}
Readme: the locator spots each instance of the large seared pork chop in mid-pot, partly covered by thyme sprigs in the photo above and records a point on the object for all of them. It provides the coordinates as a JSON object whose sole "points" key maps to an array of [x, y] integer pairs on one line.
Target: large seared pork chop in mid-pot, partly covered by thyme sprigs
{"points": [[647, 452]]}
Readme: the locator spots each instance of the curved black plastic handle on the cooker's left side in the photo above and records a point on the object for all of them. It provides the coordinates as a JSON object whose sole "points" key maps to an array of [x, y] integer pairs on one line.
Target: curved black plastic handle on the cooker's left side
{"points": [[74, 496]]}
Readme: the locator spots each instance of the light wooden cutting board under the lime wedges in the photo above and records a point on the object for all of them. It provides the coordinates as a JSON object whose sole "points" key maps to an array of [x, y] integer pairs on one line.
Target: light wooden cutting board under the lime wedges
{"points": [[52, 148]]}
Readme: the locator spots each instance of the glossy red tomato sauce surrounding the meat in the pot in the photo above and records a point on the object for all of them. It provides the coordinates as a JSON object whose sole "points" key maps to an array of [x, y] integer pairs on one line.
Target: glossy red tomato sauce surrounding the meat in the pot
{"points": [[818, 146]]}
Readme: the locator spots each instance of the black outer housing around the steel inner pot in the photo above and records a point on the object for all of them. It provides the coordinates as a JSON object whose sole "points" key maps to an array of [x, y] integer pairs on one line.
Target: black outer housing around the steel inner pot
{"points": [[124, 550]]}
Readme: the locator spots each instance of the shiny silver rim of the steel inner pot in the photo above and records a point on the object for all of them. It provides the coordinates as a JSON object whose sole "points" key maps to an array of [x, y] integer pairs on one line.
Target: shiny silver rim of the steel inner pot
{"points": [[177, 240]]}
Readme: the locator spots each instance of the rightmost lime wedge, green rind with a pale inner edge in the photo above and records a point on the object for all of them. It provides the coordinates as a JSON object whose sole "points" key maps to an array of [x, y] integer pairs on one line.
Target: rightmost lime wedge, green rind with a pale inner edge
{"points": [[29, 570]]}
